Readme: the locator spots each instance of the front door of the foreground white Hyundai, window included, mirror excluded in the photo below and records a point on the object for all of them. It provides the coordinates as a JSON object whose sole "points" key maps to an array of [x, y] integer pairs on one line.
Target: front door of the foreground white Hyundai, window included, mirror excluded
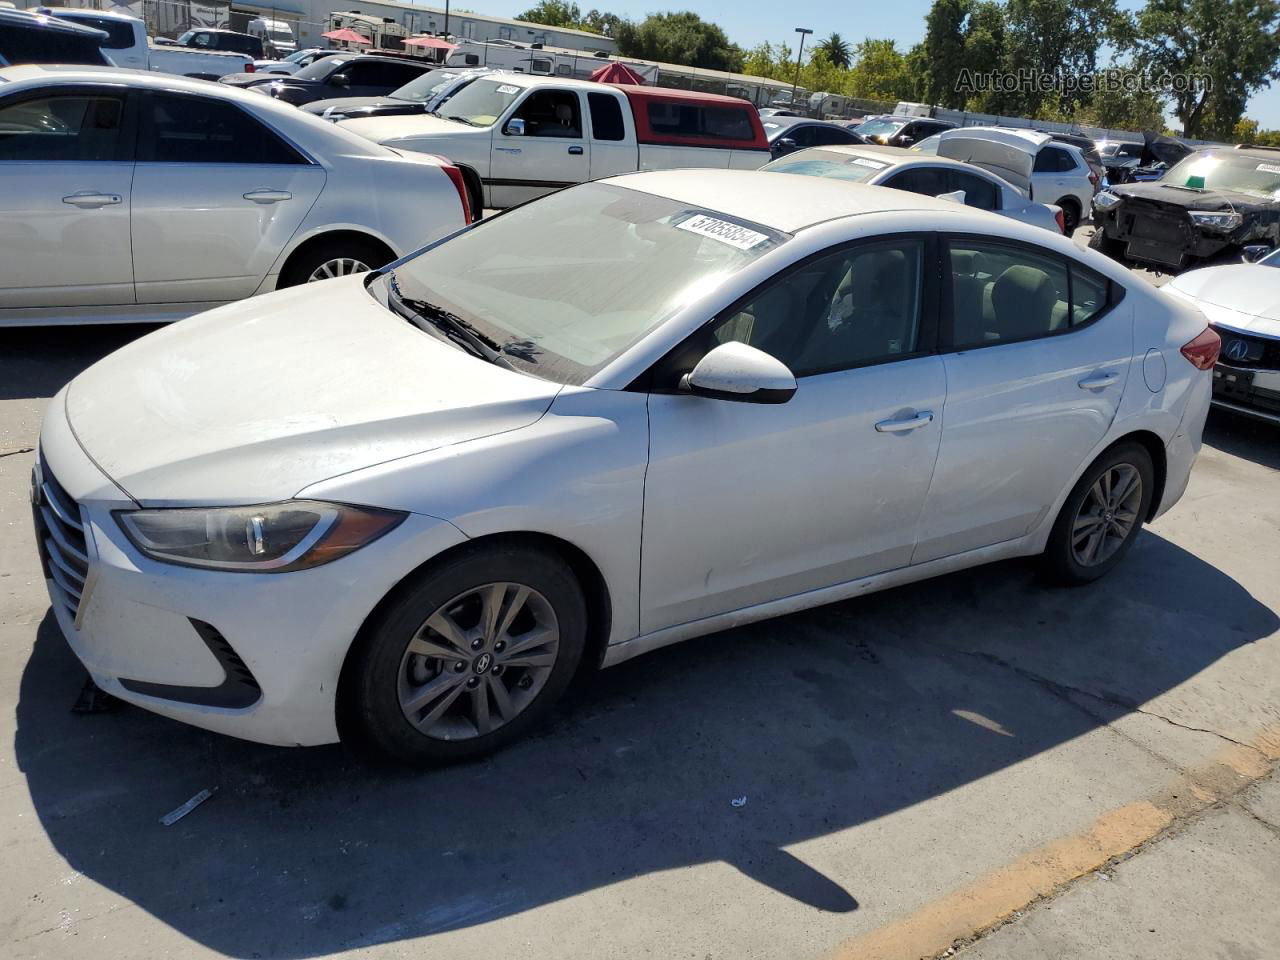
{"points": [[748, 504]]}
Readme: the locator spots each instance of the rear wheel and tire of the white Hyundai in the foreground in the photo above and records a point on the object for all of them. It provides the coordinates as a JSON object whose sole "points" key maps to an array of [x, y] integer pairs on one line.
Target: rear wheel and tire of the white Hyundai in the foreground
{"points": [[1080, 555]]}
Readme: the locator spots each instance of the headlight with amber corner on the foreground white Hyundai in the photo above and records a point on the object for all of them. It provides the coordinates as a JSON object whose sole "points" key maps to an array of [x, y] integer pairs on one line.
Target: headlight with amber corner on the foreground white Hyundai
{"points": [[272, 538]]}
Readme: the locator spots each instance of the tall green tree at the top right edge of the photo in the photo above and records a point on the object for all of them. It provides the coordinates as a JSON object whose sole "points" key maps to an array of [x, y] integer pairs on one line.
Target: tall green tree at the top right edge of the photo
{"points": [[1232, 44]]}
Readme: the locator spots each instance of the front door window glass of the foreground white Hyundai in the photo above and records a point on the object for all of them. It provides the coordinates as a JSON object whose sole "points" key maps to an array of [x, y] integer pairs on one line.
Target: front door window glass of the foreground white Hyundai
{"points": [[862, 305]]}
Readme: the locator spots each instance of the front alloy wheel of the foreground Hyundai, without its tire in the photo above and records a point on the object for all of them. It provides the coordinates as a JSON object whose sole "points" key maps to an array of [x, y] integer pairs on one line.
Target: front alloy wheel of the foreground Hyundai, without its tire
{"points": [[478, 662]]}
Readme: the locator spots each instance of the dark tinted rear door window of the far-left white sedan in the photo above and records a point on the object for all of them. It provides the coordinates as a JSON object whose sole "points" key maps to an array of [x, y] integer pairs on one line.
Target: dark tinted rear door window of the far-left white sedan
{"points": [[186, 130]]}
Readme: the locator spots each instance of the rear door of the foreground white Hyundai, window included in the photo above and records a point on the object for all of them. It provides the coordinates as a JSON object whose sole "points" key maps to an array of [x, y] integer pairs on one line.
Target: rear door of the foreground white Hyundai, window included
{"points": [[1037, 367]]}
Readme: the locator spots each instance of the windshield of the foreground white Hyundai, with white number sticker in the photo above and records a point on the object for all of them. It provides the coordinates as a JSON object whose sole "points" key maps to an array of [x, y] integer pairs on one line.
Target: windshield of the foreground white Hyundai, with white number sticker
{"points": [[570, 282]]}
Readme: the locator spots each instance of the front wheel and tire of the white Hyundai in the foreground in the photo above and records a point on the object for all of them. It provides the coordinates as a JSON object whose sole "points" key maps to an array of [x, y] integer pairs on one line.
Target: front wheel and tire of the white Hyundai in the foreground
{"points": [[422, 706]]}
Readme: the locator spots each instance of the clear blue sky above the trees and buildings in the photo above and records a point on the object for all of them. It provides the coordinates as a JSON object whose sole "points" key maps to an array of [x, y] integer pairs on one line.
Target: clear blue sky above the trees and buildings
{"points": [[751, 22]]}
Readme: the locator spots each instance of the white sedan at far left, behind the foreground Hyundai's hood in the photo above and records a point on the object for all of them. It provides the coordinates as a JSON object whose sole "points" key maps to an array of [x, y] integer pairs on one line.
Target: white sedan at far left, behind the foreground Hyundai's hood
{"points": [[130, 196]]}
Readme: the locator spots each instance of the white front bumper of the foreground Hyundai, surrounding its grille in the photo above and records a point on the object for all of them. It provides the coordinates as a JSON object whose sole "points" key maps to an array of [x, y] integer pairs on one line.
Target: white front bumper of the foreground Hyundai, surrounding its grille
{"points": [[253, 656]]}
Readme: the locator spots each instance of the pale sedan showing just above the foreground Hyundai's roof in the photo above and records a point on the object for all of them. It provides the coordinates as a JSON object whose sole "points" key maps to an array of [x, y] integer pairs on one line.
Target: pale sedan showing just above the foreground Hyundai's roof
{"points": [[929, 176]]}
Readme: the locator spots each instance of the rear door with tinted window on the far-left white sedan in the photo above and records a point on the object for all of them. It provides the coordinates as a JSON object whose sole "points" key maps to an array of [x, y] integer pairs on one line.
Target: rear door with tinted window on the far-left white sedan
{"points": [[217, 196]]}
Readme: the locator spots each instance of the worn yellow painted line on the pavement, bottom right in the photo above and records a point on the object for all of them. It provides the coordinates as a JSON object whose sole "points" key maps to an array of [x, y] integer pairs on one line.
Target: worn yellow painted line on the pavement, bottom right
{"points": [[984, 904]]}
